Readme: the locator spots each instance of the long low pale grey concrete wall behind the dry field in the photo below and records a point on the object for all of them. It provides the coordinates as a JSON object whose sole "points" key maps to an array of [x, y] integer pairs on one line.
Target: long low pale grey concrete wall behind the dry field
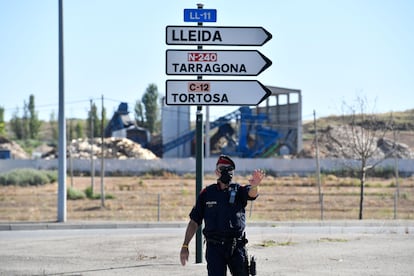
{"points": [[187, 165]]}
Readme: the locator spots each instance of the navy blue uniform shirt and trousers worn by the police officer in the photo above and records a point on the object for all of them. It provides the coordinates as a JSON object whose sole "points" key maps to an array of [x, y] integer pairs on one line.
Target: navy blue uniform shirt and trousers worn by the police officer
{"points": [[224, 228]]}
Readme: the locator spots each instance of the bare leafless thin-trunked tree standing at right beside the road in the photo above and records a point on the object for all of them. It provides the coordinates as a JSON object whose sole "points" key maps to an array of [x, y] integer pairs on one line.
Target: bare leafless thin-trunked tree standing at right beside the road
{"points": [[364, 131]]}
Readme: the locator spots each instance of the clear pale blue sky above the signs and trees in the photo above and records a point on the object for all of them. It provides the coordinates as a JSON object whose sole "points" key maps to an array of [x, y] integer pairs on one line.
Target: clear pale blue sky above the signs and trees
{"points": [[334, 51]]}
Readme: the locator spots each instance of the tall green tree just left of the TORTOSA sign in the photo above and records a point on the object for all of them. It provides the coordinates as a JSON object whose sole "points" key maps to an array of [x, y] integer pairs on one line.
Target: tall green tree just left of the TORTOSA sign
{"points": [[150, 101]]}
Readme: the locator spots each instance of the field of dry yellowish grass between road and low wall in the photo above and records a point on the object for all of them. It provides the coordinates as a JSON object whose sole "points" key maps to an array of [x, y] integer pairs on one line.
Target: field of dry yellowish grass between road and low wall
{"points": [[170, 198]]}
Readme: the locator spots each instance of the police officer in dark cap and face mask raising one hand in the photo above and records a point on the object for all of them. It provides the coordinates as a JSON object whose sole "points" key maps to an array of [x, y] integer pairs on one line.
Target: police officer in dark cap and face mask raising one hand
{"points": [[222, 207]]}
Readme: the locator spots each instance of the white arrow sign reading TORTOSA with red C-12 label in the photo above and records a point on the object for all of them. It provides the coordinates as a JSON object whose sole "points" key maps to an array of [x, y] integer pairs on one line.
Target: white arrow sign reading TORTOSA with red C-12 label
{"points": [[215, 92]]}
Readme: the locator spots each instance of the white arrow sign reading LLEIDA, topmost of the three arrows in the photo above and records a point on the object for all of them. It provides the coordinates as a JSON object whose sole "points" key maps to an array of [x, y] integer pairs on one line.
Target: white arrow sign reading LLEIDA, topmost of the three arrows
{"points": [[203, 35]]}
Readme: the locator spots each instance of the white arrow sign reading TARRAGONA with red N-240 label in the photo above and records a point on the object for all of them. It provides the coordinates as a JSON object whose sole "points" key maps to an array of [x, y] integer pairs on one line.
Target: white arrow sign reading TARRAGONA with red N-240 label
{"points": [[216, 62]]}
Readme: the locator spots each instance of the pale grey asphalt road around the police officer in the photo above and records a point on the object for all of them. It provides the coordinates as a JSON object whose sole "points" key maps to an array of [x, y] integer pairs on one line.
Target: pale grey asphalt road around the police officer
{"points": [[289, 248]]}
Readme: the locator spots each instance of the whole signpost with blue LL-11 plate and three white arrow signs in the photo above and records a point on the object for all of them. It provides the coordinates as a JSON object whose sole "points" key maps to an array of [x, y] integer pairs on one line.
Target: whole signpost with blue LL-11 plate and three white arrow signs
{"points": [[201, 62]]}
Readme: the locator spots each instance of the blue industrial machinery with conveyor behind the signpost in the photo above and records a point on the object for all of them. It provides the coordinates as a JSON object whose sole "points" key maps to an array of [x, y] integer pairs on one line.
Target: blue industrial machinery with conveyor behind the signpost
{"points": [[252, 140]]}
